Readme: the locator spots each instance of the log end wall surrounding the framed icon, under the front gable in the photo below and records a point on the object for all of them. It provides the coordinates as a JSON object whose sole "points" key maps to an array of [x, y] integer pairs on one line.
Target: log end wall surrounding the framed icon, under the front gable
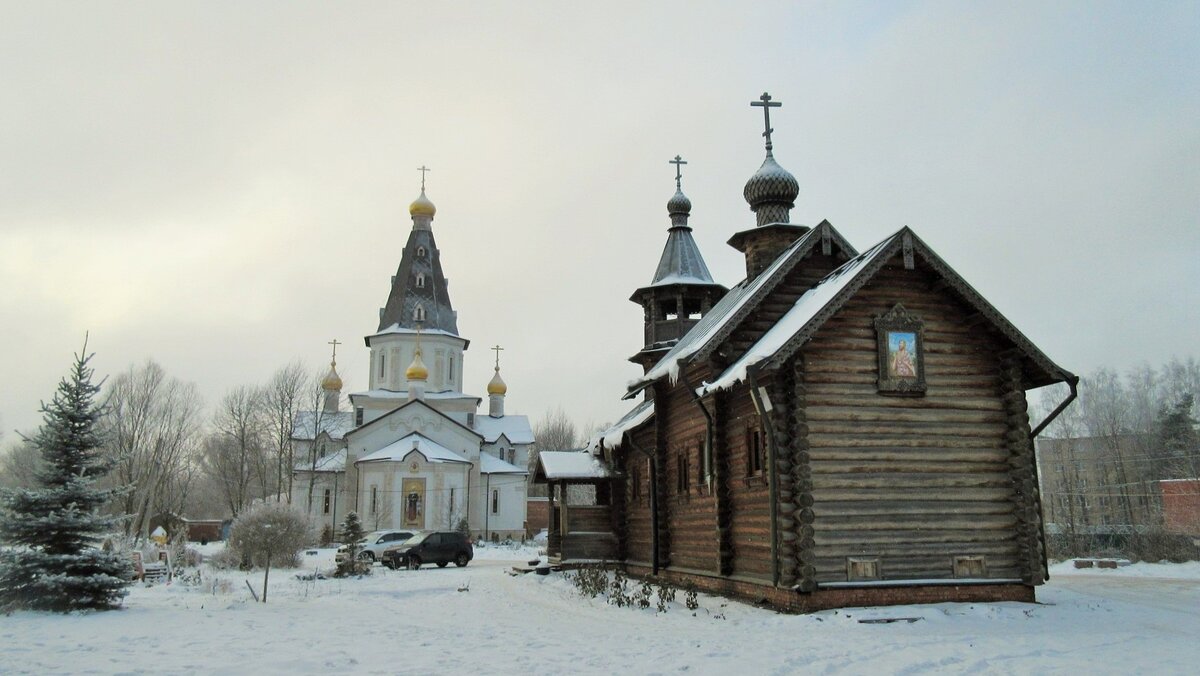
{"points": [[914, 481]]}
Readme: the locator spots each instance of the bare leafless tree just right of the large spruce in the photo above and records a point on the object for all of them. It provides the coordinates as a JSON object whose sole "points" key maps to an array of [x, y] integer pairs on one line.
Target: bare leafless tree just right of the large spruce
{"points": [[151, 430]]}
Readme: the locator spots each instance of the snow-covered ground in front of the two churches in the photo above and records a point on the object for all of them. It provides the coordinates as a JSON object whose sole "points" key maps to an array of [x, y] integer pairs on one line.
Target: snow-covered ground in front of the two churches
{"points": [[1141, 619]]}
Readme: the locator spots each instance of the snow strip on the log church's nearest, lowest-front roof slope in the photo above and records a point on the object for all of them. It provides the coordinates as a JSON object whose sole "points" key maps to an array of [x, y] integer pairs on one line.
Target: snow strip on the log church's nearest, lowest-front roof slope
{"points": [[795, 320]]}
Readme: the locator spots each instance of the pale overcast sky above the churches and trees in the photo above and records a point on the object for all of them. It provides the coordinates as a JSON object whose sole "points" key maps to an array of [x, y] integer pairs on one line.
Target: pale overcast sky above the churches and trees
{"points": [[224, 187]]}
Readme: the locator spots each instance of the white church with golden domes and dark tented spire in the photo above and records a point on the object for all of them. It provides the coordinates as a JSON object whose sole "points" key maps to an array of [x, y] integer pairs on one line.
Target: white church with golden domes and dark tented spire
{"points": [[413, 453]]}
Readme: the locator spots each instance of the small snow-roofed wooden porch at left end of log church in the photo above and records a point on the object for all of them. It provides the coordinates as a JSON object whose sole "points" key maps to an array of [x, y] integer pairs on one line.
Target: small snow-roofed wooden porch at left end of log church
{"points": [[580, 528]]}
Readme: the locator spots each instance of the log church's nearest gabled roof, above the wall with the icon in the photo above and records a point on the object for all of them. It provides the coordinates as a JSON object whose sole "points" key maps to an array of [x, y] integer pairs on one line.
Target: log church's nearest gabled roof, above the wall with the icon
{"points": [[820, 303]]}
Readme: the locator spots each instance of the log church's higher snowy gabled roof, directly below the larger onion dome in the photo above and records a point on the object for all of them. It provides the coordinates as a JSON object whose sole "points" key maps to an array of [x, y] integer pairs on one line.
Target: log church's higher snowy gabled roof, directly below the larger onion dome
{"points": [[737, 304]]}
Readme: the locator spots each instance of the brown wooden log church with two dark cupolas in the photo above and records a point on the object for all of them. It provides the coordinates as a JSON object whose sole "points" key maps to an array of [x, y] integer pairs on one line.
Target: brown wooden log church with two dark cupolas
{"points": [[841, 428]]}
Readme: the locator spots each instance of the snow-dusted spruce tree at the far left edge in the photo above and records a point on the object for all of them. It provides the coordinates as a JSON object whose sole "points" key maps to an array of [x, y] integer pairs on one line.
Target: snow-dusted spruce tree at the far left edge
{"points": [[53, 563]]}
